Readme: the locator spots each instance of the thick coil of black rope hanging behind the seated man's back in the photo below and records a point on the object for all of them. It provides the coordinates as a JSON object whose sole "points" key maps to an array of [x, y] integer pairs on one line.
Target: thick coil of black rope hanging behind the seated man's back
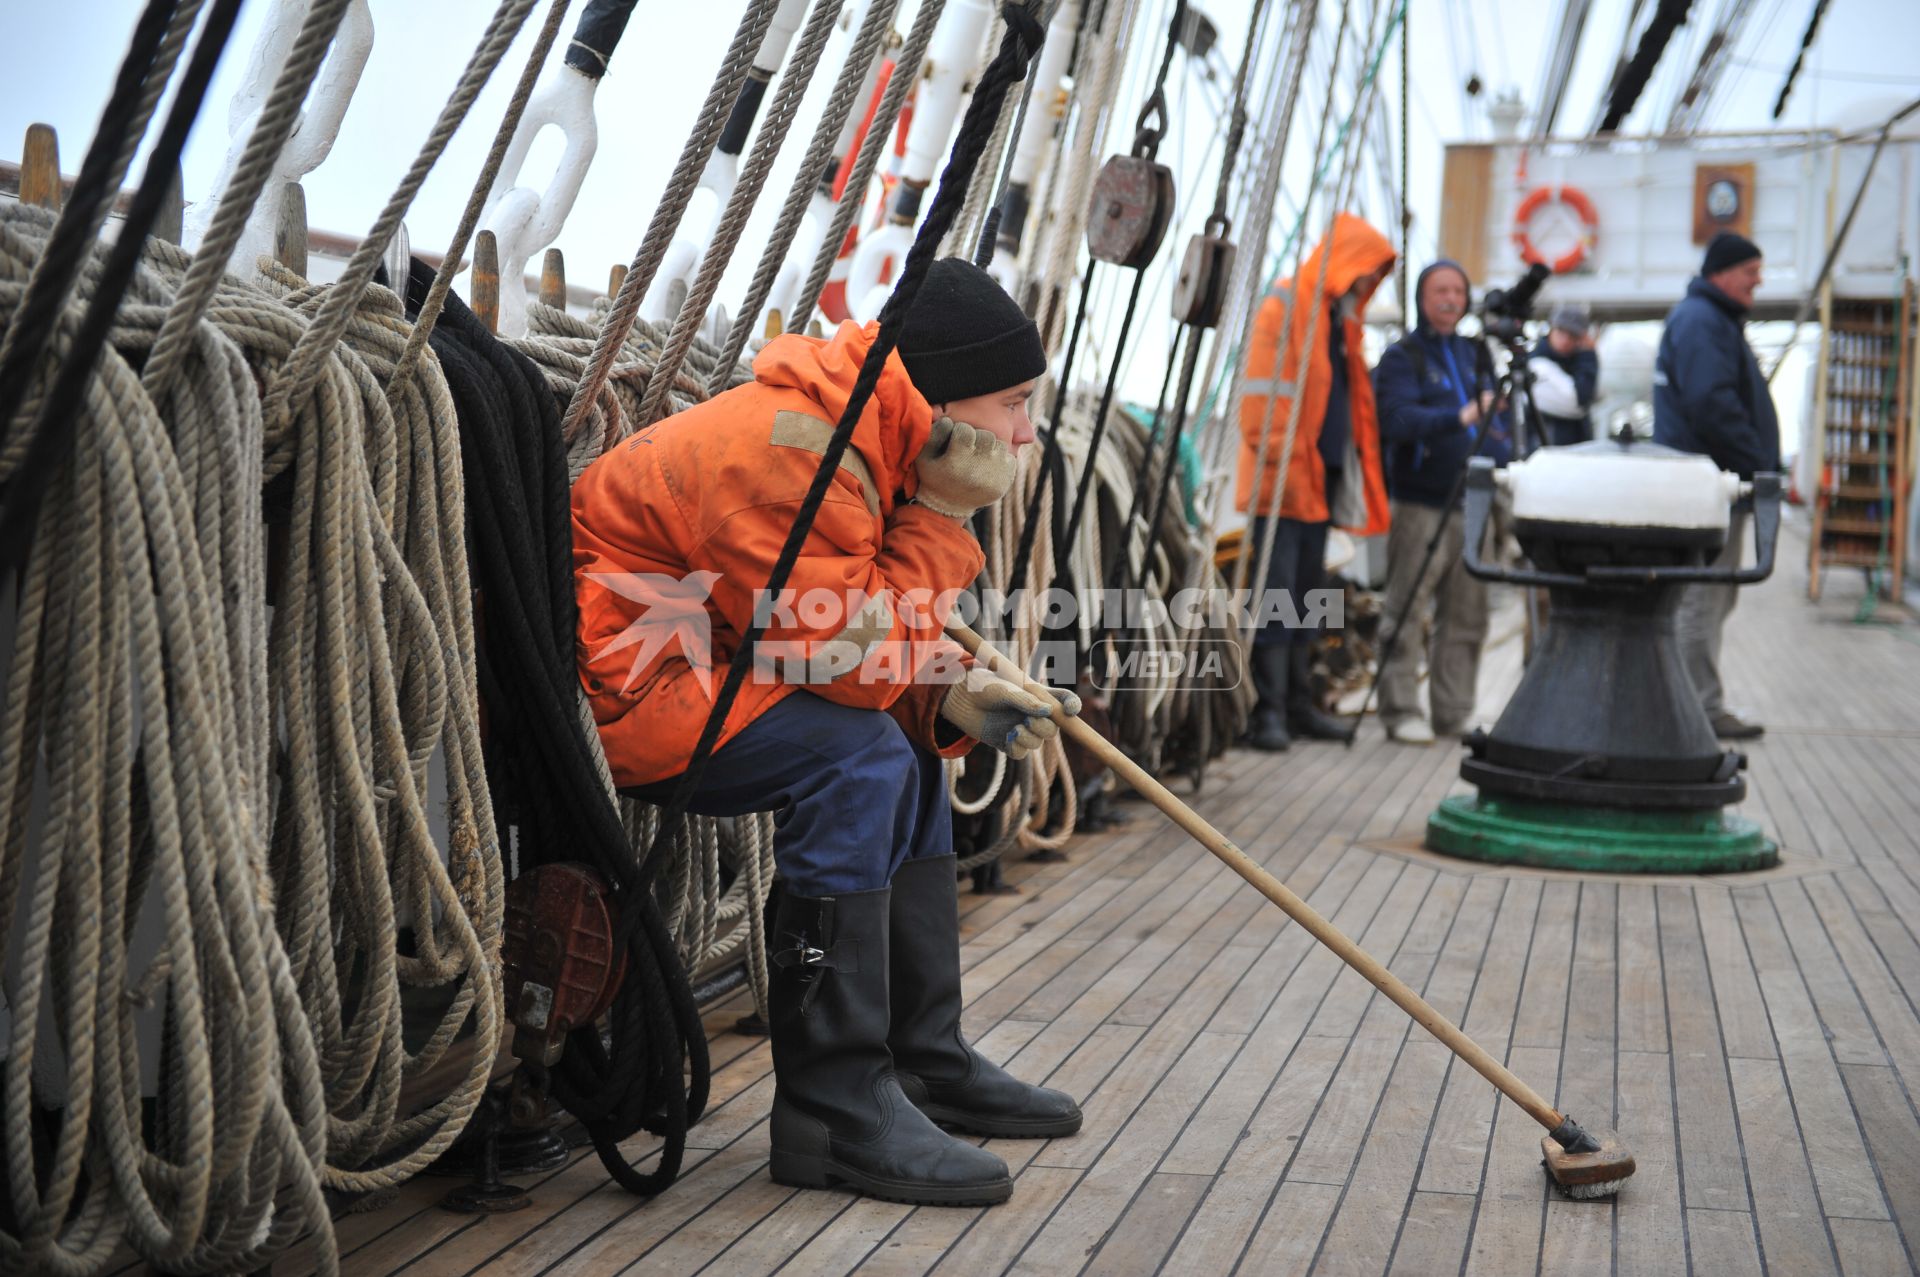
{"points": [[652, 1071]]}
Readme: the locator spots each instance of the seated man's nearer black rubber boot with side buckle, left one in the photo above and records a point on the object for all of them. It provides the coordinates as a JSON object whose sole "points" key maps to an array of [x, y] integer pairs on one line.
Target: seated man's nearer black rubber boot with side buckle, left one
{"points": [[840, 1115]]}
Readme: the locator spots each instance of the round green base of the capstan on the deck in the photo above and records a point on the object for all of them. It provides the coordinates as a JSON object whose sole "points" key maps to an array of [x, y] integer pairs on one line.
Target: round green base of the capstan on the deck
{"points": [[1562, 836]]}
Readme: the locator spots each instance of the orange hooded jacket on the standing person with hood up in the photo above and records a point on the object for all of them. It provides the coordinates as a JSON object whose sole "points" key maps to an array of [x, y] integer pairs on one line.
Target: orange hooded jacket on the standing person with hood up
{"points": [[1353, 253]]}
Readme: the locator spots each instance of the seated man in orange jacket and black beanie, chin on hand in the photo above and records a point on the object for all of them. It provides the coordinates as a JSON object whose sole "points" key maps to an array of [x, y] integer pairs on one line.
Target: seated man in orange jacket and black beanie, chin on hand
{"points": [[853, 700]]}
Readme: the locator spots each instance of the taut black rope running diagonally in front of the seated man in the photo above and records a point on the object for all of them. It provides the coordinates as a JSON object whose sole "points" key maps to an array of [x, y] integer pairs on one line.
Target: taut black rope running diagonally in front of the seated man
{"points": [[976, 130]]}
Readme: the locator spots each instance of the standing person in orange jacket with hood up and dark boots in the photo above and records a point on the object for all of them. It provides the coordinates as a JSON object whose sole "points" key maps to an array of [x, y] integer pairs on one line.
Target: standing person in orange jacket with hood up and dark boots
{"points": [[1333, 473]]}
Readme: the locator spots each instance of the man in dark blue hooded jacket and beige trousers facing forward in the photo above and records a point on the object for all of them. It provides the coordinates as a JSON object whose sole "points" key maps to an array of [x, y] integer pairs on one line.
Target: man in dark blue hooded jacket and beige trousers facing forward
{"points": [[1435, 400]]}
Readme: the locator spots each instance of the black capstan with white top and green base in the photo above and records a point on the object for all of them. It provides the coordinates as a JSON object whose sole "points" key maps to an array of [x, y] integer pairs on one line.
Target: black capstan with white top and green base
{"points": [[1604, 759]]}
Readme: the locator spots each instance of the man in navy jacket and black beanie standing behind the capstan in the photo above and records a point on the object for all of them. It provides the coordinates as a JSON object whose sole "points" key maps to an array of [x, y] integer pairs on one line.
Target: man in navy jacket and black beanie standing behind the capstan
{"points": [[1712, 398]]}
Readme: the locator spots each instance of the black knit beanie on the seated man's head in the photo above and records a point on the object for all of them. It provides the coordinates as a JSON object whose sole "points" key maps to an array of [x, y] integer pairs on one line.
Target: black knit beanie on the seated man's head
{"points": [[967, 337]]}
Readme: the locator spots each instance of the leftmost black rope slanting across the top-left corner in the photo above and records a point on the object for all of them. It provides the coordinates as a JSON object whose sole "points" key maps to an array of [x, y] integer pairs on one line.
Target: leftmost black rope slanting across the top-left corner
{"points": [[82, 216]]}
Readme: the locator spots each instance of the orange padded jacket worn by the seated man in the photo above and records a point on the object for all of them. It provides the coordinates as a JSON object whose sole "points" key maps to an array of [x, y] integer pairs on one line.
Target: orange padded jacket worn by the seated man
{"points": [[677, 533]]}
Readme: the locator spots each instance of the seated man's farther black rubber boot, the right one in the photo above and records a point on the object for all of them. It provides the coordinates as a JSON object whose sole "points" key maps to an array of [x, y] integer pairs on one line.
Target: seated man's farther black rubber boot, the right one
{"points": [[938, 1069]]}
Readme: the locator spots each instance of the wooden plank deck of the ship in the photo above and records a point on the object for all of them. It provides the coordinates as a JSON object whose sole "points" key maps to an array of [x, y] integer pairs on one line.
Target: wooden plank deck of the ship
{"points": [[1253, 1107]]}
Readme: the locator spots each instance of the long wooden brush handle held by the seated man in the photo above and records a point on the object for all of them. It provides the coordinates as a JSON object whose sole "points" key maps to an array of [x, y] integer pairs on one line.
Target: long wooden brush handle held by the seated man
{"points": [[1274, 890]]}
